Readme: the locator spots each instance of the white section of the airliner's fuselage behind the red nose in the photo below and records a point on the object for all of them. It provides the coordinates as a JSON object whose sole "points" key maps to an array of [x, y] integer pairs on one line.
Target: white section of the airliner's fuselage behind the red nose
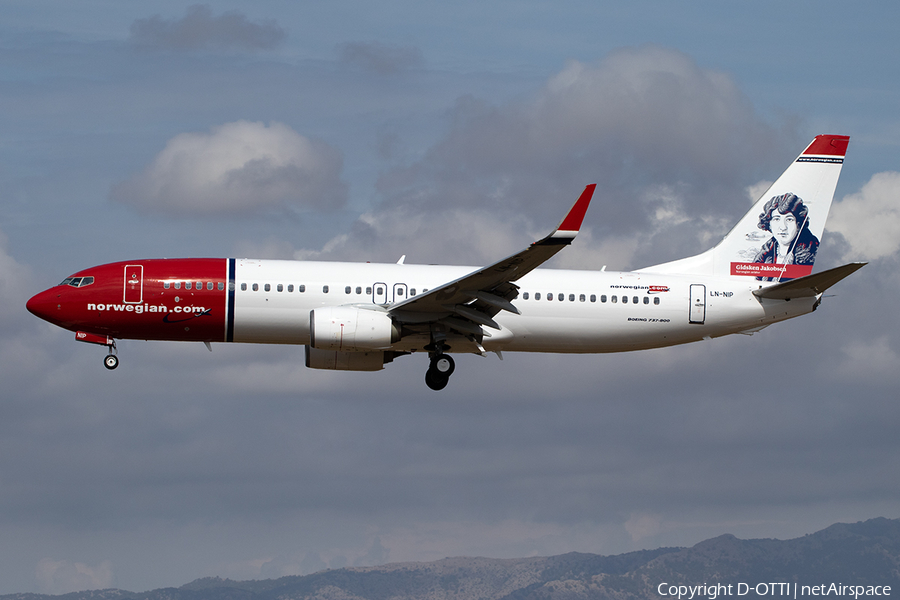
{"points": [[561, 310]]}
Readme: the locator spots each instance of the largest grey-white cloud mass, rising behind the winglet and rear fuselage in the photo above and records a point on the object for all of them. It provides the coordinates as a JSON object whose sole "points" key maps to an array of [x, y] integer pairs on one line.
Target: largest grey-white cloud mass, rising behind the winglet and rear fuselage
{"points": [[660, 135]]}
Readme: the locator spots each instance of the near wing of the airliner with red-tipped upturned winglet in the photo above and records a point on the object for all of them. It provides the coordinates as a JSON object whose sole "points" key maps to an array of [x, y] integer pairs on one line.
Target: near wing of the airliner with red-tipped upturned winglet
{"points": [[470, 302]]}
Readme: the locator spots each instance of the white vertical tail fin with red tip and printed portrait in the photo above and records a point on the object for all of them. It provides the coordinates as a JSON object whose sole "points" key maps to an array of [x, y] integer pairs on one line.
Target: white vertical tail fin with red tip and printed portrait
{"points": [[777, 240]]}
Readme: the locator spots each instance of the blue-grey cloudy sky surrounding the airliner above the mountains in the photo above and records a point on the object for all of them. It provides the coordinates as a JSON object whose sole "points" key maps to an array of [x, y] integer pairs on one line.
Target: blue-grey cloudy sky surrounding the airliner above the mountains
{"points": [[452, 133]]}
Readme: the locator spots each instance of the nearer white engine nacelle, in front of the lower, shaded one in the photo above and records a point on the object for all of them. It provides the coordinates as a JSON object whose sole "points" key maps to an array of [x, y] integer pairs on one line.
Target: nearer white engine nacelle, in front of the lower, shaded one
{"points": [[351, 329]]}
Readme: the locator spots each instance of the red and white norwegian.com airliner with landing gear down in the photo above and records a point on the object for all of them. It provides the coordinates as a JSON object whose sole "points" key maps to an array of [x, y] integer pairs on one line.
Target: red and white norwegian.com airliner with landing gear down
{"points": [[362, 316]]}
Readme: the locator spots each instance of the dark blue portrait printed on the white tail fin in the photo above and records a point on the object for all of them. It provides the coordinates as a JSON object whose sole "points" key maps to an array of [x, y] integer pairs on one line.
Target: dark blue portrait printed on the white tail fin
{"points": [[792, 243]]}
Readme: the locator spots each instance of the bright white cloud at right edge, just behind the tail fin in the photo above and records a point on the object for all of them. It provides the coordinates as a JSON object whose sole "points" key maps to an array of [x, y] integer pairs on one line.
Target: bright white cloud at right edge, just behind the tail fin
{"points": [[870, 219]]}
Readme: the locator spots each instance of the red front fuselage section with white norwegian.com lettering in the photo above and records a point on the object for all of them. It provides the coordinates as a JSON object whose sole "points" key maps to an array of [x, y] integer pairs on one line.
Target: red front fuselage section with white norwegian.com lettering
{"points": [[176, 313]]}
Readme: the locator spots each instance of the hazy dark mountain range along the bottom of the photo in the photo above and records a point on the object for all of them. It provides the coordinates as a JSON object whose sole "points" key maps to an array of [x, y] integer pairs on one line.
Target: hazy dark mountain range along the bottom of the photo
{"points": [[865, 555]]}
